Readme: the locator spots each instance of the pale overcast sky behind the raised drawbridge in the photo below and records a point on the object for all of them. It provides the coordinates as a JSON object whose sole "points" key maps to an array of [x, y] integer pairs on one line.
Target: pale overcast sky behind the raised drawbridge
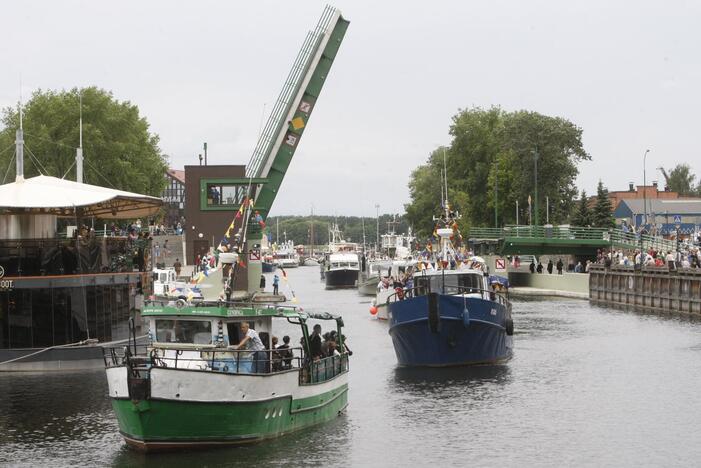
{"points": [[627, 73]]}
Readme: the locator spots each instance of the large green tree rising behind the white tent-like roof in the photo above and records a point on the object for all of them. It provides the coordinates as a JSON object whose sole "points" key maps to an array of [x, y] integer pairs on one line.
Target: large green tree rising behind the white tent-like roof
{"points": [[118, 149]]}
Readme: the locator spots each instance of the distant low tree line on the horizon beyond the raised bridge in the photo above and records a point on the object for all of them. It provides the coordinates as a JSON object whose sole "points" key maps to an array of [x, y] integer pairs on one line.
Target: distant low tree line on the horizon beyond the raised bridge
{"points": [[298, 228]]}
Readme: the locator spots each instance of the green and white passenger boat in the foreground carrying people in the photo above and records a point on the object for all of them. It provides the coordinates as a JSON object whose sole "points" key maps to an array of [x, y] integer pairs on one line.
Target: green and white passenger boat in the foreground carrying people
{"points": [[191, 386]]}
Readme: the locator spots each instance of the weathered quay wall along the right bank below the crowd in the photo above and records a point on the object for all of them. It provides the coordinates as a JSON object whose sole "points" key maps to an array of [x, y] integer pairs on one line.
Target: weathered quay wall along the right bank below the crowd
{"points": [[655, 289]]}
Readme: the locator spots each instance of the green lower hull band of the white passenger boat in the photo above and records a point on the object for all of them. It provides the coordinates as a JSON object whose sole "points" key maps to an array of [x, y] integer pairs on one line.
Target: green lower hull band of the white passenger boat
{"points": [[169, 422]]}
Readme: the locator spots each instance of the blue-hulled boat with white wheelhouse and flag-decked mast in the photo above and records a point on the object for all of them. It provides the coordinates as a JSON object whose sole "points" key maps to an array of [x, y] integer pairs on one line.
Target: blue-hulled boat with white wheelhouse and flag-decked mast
{"points": [[454, 313]]}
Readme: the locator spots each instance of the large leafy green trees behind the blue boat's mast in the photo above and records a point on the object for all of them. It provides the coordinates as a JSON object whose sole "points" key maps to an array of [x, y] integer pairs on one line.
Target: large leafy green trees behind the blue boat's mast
{"points": [[496, 148]]}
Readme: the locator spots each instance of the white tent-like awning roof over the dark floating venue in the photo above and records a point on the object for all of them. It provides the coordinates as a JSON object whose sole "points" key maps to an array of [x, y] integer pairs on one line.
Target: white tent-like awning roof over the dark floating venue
{"points": [[51, 195]]}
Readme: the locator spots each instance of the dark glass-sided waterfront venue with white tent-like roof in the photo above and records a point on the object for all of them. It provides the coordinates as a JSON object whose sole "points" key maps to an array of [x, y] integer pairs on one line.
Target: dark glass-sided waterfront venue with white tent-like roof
{"points": [[61, 282]]}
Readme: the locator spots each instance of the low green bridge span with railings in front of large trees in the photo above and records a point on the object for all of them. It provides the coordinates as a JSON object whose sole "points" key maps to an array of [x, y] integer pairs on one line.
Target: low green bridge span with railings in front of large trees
{"points": [[542, 240]]}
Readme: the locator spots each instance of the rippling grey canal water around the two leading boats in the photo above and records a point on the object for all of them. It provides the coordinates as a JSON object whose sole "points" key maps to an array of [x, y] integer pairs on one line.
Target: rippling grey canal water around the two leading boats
{"points": [[586, 386]]}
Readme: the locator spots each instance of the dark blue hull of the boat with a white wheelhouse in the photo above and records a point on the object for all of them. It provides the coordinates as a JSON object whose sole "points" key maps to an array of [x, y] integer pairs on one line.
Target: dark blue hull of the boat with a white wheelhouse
{"points": [[464, 331]]}
